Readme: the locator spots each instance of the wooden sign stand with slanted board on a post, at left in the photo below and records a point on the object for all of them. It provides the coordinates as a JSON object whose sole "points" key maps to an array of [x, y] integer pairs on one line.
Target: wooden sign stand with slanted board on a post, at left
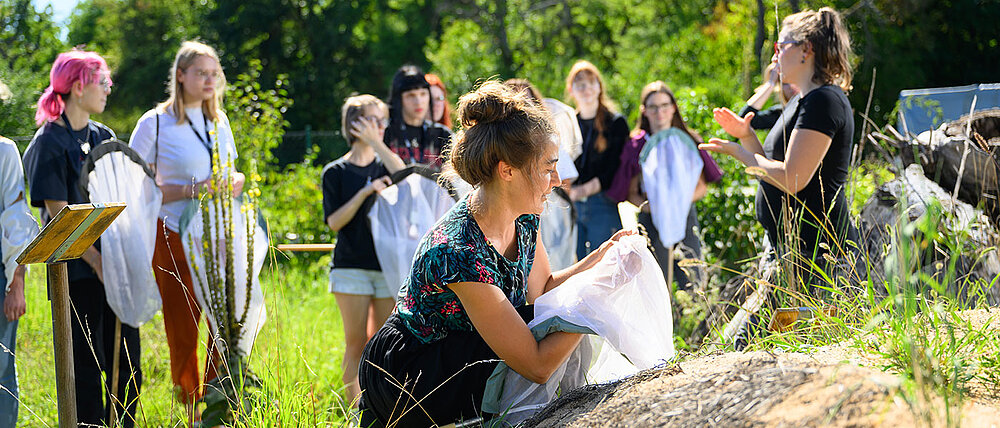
{"points": [[73, 230]]}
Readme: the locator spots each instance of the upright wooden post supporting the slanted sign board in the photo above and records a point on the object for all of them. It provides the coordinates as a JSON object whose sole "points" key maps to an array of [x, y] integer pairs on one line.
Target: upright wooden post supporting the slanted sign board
{"points": [[62, 338]]}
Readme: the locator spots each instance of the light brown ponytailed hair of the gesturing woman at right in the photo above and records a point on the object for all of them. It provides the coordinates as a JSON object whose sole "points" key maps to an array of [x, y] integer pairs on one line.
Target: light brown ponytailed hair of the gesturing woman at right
{"points": [[824, 30]]}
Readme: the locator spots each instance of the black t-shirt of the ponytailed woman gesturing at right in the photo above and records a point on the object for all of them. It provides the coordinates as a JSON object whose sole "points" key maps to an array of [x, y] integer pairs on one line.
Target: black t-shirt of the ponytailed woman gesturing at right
{"points": [[827, 110]]}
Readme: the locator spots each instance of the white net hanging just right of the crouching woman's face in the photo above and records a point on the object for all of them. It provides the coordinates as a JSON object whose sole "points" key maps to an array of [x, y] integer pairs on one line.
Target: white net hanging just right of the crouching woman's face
{"points": [[558, 229]]}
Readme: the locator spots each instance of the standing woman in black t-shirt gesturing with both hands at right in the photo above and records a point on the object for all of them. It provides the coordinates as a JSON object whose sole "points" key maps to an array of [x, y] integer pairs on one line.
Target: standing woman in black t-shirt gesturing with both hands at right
{"points": [[807, 153]]}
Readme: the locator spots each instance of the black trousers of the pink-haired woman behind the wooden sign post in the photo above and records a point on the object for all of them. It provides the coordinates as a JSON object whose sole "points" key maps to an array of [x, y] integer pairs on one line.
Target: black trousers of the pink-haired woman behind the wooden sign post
{"points": [[93, 324]]}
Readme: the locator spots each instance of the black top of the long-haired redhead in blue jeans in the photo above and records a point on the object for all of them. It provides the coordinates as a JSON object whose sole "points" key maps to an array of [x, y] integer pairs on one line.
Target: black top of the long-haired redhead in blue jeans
{"points": [[602, 165]]}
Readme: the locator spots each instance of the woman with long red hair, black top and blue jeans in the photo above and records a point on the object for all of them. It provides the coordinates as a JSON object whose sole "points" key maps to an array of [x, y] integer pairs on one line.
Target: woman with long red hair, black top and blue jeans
{"points": [[605, 133]]}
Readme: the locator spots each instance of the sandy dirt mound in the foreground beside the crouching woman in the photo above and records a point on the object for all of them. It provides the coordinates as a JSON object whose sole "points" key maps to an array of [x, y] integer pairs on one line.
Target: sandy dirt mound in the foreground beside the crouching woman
{"points": [[747, 390]]}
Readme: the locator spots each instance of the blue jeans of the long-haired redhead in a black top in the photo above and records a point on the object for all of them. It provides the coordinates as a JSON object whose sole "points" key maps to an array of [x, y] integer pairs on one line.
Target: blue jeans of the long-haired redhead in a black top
{"points": [[596, 220]]}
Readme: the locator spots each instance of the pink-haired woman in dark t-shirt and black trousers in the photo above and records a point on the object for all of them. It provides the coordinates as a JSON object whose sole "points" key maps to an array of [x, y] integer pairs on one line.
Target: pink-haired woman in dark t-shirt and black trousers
{"points": [[79, 86]]}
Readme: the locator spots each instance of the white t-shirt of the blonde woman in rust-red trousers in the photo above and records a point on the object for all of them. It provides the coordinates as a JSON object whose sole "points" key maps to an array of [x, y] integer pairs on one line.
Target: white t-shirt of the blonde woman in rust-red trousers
{"points": [[180, 157]]}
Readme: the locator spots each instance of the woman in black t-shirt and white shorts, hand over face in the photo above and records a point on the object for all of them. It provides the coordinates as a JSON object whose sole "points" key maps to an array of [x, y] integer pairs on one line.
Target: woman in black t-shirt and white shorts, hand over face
{"points": [[349, 185]]}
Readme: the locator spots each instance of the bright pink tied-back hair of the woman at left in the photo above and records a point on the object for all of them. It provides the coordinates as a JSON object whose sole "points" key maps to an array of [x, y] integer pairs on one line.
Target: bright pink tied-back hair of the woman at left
{"points": [[69, 67]]}
